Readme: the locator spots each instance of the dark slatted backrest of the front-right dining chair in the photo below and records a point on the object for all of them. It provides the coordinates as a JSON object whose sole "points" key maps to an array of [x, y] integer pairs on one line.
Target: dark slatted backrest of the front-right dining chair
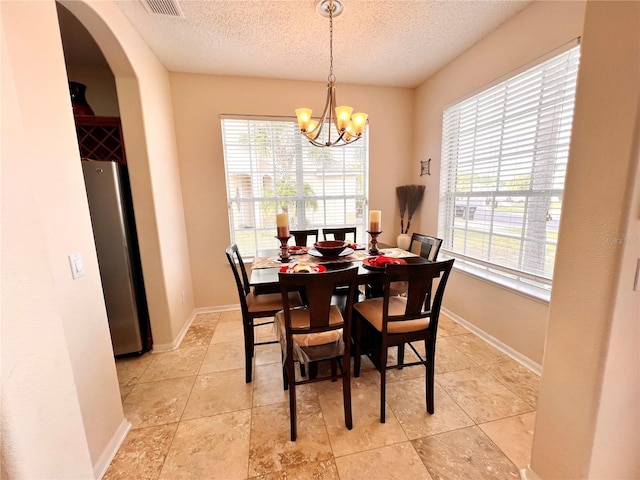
{"points": [[421, 302]]}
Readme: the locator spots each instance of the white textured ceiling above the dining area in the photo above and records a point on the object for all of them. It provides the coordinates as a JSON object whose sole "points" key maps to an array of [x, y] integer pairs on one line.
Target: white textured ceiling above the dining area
{"points": [[392, 43]]}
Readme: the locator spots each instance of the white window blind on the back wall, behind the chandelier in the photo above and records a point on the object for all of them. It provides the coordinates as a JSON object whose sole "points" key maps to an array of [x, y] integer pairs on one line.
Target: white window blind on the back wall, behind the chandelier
{"points": [[271, 168]]}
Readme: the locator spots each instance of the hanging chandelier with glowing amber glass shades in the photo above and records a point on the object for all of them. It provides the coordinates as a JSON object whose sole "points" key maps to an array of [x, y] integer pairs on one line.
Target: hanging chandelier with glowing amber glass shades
{"points": [[348, 126]]}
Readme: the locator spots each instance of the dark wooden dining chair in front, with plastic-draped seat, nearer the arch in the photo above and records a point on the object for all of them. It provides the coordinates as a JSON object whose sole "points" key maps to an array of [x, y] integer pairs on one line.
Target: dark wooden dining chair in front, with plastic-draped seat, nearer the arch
{"points": [[316, 332]]}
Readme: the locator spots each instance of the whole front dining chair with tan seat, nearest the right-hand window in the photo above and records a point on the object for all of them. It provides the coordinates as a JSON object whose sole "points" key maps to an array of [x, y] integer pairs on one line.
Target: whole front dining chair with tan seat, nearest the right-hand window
{"points": [[384, 322]]}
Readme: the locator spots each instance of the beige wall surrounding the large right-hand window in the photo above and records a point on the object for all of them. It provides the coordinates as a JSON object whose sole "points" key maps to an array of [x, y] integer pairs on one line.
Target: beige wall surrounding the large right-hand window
{"points": [[513, 319]]}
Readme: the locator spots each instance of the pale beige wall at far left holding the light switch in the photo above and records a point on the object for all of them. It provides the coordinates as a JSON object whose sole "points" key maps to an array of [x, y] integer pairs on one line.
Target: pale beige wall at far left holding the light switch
{"points": [[61, 404]]}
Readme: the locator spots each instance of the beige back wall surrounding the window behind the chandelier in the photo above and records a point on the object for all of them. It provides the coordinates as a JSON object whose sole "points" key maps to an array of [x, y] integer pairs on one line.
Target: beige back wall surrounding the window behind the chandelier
{"points": [[198, 102]]}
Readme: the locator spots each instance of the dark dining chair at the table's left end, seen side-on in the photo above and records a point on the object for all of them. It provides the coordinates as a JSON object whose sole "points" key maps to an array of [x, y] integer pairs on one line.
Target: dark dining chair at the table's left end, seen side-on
{"points": [[254, 307]]}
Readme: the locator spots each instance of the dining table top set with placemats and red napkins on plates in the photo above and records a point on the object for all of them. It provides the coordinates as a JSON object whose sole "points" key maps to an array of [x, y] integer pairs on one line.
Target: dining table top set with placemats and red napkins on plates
{"points": [[265, 267]]}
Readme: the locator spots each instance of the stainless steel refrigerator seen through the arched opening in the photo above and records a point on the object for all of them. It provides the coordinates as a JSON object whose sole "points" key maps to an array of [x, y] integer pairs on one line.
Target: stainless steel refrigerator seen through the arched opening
{"points": [[114, 232]]}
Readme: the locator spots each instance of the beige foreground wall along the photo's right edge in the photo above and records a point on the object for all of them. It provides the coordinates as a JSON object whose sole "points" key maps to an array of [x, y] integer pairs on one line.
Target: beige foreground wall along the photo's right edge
{"points": [[589, 406]]}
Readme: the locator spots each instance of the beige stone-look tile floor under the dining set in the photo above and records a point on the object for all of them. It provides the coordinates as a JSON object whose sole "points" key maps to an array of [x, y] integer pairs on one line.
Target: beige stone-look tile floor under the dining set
{"points": [[194, 417]]}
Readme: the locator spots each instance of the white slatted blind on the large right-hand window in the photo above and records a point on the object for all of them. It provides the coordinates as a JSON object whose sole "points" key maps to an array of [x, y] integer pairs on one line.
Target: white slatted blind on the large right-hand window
{"points": [[504, 159]]}
